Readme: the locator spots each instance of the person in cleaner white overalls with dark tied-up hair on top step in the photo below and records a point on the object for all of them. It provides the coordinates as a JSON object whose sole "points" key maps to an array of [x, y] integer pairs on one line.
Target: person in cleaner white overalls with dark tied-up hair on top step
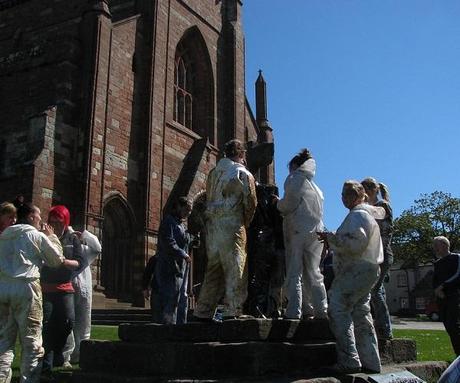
{"points": [[302, 211]]}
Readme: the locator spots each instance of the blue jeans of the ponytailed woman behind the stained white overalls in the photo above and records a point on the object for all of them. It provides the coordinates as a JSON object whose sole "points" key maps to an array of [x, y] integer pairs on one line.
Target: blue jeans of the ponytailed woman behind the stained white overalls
{"points": [[382, 320]]}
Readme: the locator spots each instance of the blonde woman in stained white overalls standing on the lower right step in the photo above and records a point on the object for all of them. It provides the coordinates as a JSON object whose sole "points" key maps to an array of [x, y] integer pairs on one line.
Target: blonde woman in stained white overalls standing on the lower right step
{"points": [[358, 253]]}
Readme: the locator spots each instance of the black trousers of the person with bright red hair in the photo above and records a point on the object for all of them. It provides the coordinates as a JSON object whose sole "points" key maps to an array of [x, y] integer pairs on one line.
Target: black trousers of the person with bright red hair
{"points": [[58, 321]]}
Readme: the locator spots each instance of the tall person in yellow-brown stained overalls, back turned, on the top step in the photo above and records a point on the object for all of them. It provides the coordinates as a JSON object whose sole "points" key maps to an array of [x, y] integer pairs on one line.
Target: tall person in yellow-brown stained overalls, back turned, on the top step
{"points": [[230, 205]]}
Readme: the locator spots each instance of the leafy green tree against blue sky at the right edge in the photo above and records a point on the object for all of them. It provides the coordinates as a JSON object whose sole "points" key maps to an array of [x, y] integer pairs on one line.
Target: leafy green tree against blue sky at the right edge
{"points": [[433, 214]]}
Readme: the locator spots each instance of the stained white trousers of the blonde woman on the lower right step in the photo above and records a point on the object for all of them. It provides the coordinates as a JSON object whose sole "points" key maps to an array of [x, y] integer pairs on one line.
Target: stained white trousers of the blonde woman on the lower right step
{"points": [[349, 315]]}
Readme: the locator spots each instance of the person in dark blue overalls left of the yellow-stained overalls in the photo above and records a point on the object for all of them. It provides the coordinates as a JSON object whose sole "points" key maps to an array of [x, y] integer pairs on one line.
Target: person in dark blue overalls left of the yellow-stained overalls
{"points": [[170, 272]]}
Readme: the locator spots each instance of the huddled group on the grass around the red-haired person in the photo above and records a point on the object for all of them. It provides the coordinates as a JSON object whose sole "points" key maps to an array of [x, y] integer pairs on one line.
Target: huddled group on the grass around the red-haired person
{"points": [[45, 289]]}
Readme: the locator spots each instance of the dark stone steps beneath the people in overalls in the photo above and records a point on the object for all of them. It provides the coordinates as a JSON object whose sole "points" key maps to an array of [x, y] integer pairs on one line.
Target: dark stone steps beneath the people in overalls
{"points": [[235, 349]]}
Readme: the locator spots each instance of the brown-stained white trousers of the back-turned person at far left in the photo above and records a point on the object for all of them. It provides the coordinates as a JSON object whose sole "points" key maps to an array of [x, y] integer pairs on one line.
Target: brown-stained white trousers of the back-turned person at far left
{"points": [[21, 312]]}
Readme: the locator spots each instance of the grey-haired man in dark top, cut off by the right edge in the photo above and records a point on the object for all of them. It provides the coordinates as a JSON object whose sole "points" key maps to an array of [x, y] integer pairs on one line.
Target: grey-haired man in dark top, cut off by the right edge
{"points": [[446, 284]]}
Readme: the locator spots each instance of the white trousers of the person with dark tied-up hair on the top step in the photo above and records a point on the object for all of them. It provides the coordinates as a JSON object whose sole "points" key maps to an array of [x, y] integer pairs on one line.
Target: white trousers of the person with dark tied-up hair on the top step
{"points": [[304, 285]]}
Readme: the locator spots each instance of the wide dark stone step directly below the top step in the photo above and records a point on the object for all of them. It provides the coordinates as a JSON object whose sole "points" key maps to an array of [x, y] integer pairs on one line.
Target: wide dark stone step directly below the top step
{"points": [[201, 360]]}
